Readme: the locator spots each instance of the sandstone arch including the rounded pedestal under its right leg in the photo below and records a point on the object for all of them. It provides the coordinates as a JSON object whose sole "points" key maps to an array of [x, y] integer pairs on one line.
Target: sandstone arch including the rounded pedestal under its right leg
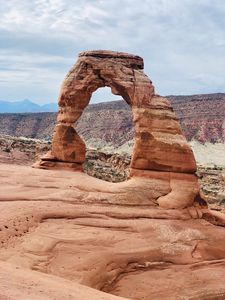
{"points": [[160, 155]]}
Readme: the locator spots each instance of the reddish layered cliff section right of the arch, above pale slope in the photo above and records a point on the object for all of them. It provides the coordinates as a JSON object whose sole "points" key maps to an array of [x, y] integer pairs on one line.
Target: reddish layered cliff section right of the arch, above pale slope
{"points": [[202, 117]]}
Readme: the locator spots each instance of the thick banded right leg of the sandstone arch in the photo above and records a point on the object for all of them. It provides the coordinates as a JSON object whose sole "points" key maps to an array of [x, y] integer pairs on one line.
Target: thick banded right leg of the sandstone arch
{"points": [[159, 142]]}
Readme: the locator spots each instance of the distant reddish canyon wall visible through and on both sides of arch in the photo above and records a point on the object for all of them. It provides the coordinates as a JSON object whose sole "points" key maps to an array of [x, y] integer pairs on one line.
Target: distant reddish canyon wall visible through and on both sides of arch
{"points": [[110, 124]]}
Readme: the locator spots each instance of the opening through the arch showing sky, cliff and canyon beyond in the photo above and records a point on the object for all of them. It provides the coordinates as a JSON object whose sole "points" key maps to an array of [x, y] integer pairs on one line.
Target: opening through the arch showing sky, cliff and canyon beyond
{"points": [[107, 129]]}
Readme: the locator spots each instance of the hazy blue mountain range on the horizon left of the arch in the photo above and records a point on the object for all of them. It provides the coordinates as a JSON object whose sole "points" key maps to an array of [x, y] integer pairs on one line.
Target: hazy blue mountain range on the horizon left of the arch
{"points": [[26, 106]]}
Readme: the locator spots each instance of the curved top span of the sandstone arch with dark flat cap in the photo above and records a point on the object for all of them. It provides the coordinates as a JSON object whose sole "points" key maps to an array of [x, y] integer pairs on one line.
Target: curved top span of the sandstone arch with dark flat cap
{"points": [[120, 71]]}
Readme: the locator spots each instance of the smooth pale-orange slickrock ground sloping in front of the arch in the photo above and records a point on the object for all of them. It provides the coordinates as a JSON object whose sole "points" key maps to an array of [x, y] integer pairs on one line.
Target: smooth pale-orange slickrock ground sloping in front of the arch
{"points": [[60, 229]]}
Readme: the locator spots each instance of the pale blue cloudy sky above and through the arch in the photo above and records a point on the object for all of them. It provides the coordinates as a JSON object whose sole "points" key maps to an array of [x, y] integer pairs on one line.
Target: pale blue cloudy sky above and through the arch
{"points": [[181, 41]]}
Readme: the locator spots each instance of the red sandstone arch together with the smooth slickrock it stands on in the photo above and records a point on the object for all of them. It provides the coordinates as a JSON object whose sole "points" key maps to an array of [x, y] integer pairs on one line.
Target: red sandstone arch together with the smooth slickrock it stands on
{"points": [[83, 233]]}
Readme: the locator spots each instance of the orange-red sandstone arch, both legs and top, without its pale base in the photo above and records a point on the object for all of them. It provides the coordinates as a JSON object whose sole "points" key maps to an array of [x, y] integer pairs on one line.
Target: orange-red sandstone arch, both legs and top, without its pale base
{"points": [[158, 143]]}
